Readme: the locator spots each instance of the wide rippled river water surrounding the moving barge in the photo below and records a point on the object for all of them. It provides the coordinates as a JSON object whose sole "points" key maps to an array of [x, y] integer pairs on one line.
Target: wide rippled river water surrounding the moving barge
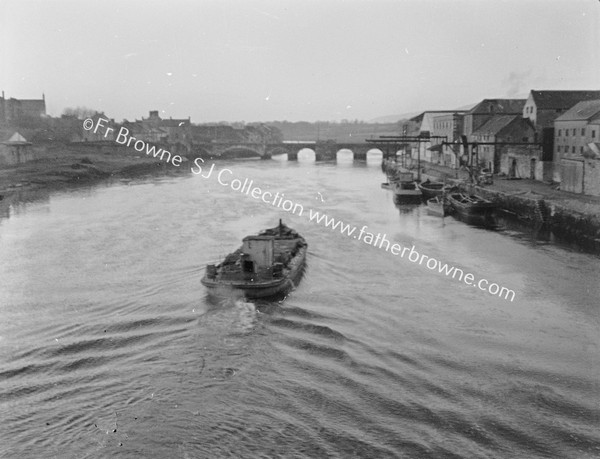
{"points": [[110, 346]]}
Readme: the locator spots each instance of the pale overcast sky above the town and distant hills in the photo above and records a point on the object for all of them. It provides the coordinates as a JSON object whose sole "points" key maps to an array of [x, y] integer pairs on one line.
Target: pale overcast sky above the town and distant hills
{"points": [[257, 60]]}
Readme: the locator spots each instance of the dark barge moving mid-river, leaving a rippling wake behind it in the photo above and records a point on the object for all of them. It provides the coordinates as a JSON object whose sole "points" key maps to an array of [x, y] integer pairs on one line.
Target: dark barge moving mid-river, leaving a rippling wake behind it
{"points": [[267, 264]]}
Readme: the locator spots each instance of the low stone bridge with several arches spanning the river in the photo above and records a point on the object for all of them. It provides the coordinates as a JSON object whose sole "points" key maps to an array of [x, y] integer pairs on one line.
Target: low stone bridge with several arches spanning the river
{"points": [[324, 150]]}
